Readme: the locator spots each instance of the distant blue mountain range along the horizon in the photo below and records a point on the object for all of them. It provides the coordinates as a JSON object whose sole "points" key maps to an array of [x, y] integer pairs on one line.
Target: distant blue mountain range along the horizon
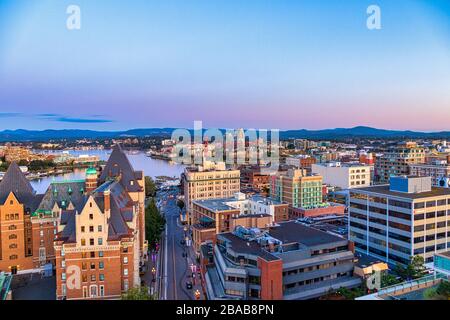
{"points": [[338, 133]]}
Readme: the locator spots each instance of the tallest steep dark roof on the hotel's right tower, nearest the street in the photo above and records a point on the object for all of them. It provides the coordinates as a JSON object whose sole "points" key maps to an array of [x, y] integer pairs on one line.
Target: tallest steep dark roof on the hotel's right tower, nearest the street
{"points": [[119, 165]]}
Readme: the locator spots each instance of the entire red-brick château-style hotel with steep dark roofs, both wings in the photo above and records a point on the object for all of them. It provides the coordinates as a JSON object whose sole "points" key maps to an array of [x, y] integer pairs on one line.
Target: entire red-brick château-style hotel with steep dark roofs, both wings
{"points": [[91, 230]]}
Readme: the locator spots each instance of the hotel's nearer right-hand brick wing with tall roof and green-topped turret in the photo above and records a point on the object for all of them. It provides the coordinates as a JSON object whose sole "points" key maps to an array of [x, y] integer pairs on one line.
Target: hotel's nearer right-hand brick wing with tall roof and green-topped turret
{"points": [[101, 234]]}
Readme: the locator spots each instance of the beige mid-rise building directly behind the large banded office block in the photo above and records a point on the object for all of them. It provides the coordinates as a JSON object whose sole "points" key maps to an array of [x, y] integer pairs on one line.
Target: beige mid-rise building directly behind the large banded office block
{"points": [[396, 161]]}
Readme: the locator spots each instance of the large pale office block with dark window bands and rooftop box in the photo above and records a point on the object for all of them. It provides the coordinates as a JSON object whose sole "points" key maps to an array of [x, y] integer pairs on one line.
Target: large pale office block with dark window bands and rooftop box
{"points": [[406, 218]]}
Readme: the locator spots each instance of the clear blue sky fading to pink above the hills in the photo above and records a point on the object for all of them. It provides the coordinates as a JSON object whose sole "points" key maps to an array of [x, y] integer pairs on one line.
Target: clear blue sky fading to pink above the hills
{"points": [[256, 63]]}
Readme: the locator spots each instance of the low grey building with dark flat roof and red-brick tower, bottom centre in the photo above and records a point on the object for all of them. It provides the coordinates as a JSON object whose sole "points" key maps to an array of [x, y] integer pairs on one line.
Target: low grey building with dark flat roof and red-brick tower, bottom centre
{"points": [[288, 261]]}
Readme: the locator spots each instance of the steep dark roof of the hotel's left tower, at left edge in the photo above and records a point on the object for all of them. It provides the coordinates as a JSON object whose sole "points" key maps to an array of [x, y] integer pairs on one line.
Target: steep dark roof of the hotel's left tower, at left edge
{"points": [[15, 181]]}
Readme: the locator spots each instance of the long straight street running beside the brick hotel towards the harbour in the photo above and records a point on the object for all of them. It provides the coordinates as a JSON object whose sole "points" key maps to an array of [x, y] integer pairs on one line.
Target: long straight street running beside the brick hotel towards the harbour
{"points": [[174, 261]]}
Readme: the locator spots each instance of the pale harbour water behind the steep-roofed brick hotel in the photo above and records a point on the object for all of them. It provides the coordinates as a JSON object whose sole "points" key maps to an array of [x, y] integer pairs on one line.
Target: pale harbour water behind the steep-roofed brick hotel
{"points": [[139, 161]]}
